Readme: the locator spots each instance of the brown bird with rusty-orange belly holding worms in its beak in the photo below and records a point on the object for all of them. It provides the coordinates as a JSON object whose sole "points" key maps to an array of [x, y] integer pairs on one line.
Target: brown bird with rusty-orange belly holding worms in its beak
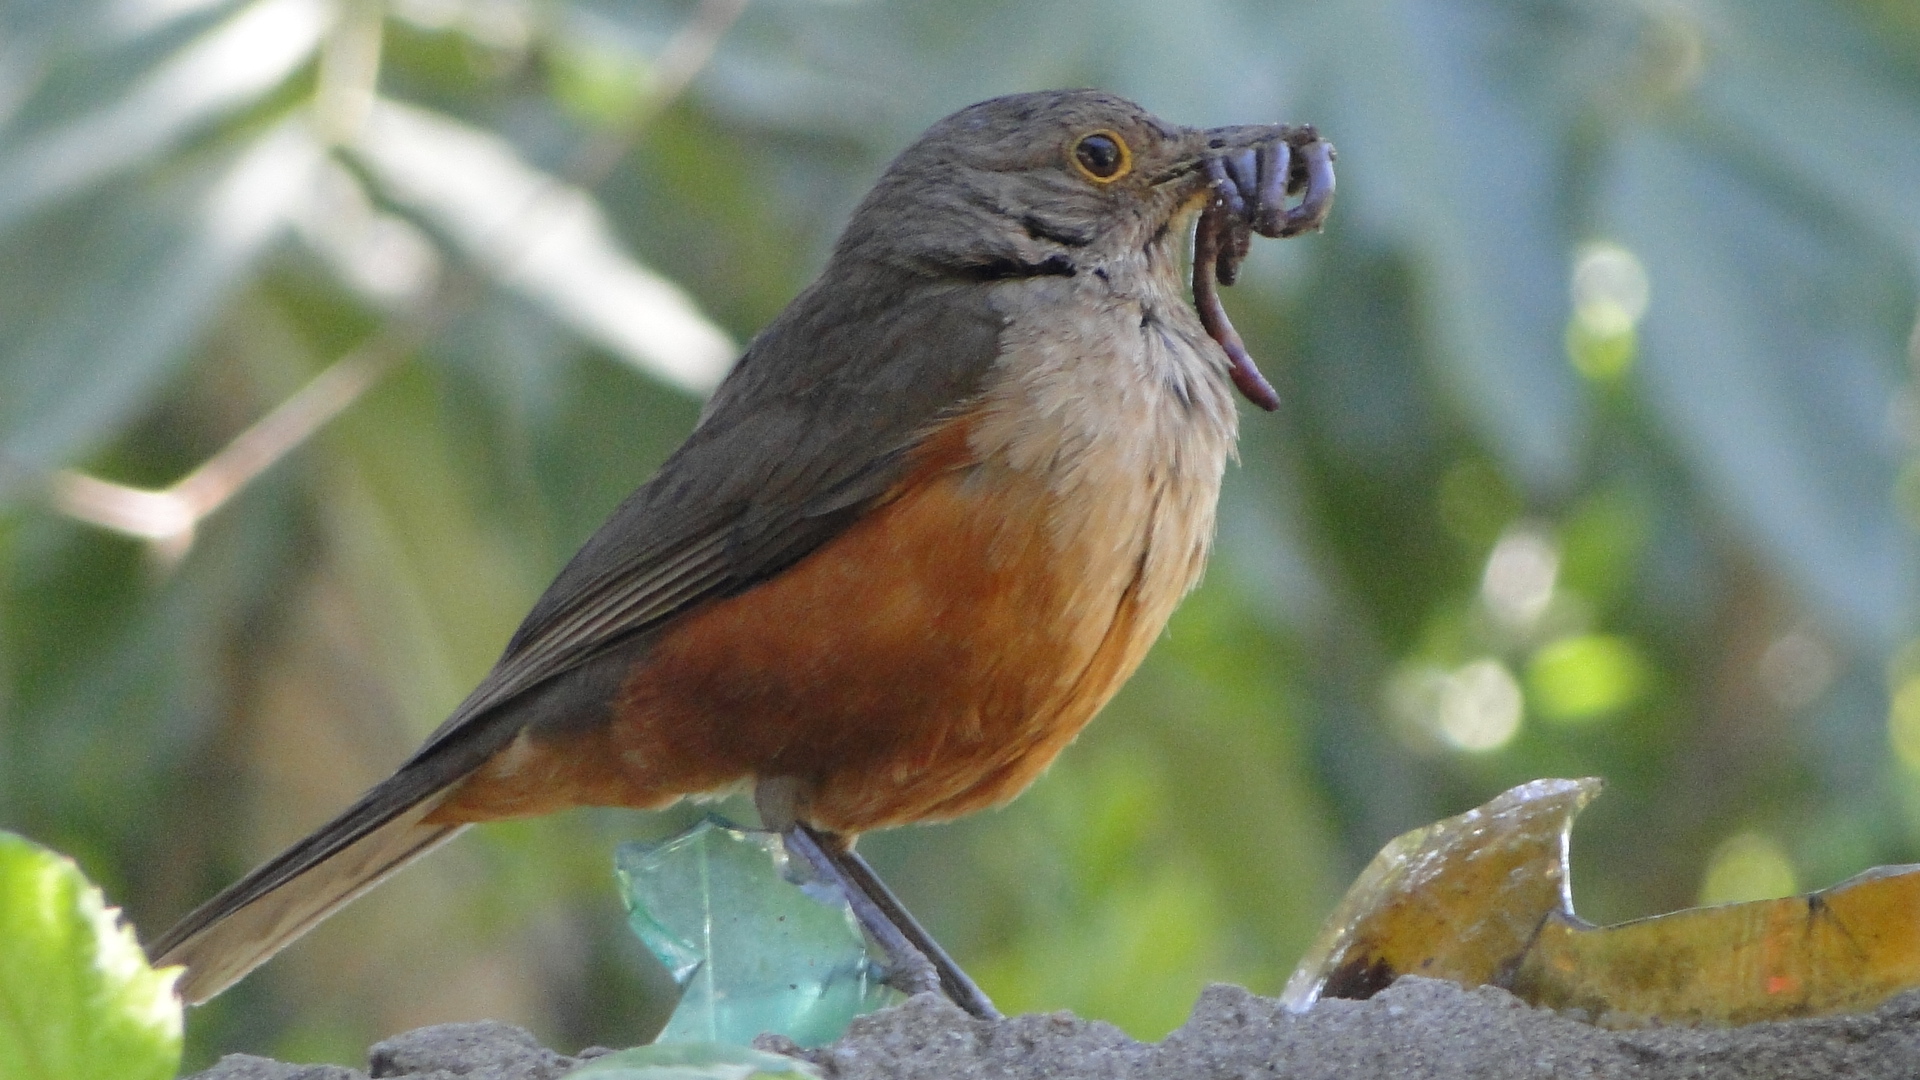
{"points": [[924, 529]]}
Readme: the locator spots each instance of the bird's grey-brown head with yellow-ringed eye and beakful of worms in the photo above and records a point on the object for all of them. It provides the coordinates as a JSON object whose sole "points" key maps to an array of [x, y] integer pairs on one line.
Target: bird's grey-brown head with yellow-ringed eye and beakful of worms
{"points": [[1061, 184]]}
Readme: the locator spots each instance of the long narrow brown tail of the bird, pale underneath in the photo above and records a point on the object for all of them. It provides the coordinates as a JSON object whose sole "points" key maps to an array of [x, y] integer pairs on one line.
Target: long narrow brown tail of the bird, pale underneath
{"points": [[281, 900]]}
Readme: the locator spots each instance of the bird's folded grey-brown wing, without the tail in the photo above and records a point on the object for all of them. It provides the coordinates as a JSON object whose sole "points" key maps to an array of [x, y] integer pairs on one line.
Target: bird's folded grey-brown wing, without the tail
{"points": [[813, 426]]}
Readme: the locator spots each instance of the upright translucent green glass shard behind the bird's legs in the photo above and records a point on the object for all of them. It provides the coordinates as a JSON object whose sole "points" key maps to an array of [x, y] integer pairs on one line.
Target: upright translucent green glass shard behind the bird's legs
{"points": [[752, 950]]}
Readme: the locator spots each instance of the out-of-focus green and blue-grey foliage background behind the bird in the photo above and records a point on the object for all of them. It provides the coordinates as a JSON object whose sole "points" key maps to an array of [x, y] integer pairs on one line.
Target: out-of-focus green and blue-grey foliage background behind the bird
{"points": [[331, 328]]}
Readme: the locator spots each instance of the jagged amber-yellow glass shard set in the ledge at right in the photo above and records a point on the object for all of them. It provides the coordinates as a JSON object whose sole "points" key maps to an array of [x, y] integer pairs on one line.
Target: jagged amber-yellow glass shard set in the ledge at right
{"points": [[1483, 898]]}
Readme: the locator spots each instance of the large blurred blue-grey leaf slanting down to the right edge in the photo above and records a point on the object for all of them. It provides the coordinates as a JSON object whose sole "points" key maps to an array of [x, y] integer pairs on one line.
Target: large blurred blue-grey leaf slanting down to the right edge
{"points": [[1750, 289]]}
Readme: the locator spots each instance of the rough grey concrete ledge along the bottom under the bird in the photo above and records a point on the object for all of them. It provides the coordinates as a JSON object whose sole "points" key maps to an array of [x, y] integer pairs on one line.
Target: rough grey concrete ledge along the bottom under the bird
{"points": [[1414, 1031]]}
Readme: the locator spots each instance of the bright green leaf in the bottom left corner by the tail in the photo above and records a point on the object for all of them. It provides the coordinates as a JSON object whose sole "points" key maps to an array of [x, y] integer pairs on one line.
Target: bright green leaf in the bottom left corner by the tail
{"points": [[78, 998]]}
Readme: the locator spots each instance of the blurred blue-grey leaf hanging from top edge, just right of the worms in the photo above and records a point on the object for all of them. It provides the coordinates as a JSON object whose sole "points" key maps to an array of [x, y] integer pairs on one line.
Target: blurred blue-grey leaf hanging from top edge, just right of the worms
{"points": [[1437, 95]]}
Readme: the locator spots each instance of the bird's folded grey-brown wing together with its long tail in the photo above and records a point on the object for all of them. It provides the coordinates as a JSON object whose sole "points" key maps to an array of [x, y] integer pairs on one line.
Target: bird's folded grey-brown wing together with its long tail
{"points": [[811, 428]]}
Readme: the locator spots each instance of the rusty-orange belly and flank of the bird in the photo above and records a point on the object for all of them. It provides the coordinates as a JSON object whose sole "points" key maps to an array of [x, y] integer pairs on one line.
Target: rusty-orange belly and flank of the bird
{"points": [[928, 662]]}
